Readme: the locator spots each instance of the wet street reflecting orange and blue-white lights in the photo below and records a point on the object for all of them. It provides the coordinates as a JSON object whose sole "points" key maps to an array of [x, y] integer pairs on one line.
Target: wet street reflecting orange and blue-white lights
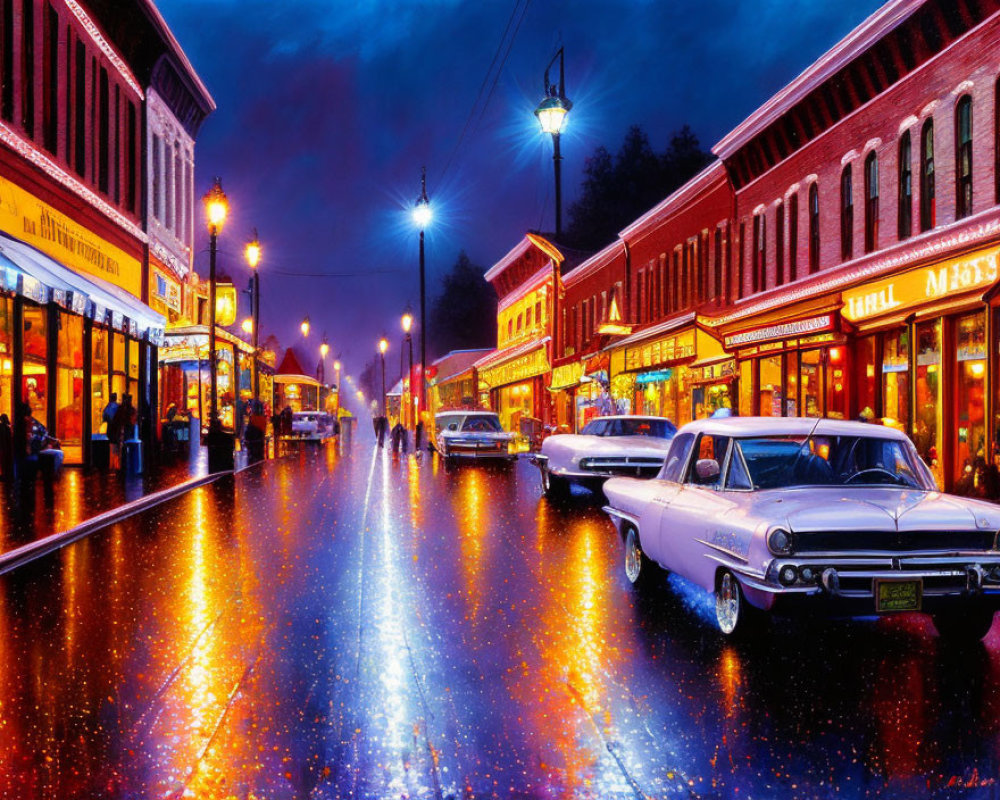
{"points": [[356, 625]]}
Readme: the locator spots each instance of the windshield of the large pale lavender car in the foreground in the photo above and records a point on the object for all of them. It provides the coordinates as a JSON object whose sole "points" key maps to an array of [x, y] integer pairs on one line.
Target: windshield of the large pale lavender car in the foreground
{"points": [[781, 461]]}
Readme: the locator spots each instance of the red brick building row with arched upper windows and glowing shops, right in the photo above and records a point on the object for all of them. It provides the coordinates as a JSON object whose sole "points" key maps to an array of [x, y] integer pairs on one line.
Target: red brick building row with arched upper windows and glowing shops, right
{"points": [[840, 258]]}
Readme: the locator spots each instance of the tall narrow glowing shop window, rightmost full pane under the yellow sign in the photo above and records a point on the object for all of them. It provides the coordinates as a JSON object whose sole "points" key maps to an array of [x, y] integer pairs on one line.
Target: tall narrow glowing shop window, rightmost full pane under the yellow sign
{"points": [[970, 446]]}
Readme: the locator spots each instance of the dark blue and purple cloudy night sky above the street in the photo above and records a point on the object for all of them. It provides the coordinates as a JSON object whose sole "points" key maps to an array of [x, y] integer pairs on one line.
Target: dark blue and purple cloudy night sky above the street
{"points": [[327, 109]]}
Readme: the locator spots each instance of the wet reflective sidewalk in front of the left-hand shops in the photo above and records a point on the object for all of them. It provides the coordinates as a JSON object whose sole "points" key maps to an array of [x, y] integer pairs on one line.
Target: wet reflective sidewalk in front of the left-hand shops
{"points": [[29, 513]]}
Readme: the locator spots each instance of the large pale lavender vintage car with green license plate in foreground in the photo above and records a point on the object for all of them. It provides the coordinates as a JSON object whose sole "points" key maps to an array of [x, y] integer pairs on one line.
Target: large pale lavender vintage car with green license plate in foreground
{"points": [[810, 516]]}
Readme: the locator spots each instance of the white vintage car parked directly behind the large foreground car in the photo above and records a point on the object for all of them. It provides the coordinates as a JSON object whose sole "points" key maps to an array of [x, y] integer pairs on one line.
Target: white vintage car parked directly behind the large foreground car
{"points": [[606, 446]]}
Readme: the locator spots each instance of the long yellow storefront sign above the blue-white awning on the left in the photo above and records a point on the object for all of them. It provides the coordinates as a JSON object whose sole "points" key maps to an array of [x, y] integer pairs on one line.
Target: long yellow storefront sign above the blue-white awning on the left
{"points": [[25, 216]]}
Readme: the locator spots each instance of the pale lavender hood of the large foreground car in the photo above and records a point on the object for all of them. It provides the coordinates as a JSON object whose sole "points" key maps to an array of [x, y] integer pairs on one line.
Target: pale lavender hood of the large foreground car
{"points": [[824, 509]]}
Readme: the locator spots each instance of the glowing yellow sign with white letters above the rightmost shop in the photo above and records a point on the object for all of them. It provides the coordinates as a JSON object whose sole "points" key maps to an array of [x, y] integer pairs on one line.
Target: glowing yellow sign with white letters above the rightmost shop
{"points": [[975, 271]]}
